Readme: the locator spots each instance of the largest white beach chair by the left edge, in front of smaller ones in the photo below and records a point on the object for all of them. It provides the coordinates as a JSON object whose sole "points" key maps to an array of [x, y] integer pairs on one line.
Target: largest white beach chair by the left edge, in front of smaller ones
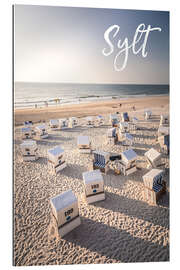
{"points": [[29, 150]]}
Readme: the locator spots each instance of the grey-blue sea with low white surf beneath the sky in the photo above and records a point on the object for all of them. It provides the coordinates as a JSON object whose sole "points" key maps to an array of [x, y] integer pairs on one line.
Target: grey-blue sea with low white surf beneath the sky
{"points": [[38, 95]]}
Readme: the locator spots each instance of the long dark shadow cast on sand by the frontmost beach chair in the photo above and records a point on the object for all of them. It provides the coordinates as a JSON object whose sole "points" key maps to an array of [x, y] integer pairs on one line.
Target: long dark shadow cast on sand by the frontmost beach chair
{"points": [[115, 244]]}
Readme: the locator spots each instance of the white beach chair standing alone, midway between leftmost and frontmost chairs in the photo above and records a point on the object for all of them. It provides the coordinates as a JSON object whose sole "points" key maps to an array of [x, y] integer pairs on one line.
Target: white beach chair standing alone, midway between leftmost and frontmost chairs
{"points": [[56, 160]]}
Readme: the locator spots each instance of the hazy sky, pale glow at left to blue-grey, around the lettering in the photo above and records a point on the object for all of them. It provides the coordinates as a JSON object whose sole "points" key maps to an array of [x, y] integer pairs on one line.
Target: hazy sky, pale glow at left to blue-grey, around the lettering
{"points": [[57, 44]]}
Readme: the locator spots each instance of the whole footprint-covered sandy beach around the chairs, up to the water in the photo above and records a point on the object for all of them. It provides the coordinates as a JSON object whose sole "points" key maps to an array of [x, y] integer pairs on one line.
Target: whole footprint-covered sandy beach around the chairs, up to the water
{"points": [[122, 228]]}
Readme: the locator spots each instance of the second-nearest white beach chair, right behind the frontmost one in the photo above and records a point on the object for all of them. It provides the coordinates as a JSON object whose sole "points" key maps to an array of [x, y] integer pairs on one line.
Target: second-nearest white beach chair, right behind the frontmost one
{"points": [[94, 186]]}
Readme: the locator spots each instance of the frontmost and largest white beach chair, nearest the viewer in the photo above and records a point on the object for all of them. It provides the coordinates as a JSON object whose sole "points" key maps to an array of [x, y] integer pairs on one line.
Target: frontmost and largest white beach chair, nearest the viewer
{"points": [[65, 210]]}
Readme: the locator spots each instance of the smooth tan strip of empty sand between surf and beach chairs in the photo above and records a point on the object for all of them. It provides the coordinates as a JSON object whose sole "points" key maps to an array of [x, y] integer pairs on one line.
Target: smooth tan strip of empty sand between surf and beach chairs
{"points": [[92, 108]]}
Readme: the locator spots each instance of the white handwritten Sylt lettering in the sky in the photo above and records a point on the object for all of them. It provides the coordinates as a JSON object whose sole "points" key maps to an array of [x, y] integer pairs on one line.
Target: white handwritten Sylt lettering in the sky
{"points": [[140, 38]]}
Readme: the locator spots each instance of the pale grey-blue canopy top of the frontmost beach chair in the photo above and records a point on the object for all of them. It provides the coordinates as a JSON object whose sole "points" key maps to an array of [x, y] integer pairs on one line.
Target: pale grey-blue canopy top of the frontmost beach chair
{"points": [[63, 200]]}
